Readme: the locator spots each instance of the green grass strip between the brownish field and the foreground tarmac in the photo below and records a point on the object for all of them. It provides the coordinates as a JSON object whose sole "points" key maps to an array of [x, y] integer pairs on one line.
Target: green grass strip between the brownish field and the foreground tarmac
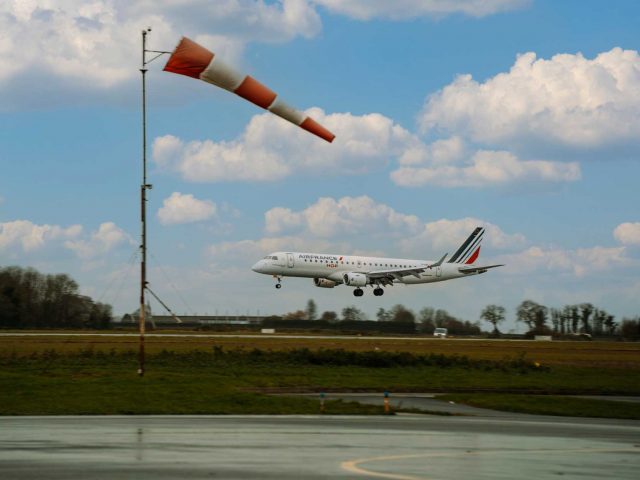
{"points": [[218, 381]]}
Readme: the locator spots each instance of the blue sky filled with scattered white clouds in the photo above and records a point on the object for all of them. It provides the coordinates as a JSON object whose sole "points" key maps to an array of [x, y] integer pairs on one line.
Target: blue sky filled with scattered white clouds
{"points": [[522, 116]]}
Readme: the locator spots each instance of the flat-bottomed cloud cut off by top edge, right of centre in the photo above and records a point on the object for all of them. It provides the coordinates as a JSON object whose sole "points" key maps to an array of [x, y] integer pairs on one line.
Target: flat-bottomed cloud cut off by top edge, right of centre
{"points": [[404, 9]]}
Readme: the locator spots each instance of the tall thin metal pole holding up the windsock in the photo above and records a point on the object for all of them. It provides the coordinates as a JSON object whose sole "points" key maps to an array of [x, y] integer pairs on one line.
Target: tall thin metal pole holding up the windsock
{"points": [[143, 204]]}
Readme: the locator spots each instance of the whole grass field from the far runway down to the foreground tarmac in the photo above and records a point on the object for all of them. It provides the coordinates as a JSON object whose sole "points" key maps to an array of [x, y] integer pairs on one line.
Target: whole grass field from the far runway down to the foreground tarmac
{"points": [[97, 375]]}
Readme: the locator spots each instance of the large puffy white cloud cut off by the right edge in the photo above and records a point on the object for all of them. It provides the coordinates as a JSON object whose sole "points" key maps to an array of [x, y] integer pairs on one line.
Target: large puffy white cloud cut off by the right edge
{"points": [[568, 100]]}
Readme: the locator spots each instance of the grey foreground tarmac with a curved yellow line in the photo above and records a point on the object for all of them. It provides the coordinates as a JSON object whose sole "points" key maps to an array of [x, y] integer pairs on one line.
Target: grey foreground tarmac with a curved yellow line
{"points": [[409, 447]]}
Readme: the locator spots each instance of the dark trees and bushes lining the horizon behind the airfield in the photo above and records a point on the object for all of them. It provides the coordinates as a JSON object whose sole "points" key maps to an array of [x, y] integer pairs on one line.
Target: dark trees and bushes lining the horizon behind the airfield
{"points": [[29, 299]]}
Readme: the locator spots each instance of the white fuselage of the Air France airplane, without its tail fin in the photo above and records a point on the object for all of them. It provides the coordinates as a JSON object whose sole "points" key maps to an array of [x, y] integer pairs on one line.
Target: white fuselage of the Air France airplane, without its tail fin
{"points": [[333, 267]]}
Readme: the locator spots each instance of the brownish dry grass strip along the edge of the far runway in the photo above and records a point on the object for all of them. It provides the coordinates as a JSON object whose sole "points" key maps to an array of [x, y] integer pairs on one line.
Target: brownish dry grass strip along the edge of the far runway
{"points": [[578, 354]]}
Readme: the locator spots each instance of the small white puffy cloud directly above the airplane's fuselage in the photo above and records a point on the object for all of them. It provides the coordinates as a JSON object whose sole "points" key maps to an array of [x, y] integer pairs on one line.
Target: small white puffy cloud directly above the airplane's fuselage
{"points": [[345, 217]]}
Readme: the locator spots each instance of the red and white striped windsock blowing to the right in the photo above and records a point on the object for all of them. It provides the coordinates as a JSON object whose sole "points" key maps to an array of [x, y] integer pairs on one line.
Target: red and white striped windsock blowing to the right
{"points": [[195, 61]]}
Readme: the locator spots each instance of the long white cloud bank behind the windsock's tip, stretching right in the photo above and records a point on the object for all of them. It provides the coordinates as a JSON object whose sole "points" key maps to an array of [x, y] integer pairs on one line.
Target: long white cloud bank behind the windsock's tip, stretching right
{"points": [[271, 149]]}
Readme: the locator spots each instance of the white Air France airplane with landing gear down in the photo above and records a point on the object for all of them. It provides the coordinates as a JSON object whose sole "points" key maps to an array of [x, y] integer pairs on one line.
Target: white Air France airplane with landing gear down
{"points": [[358, 271]]}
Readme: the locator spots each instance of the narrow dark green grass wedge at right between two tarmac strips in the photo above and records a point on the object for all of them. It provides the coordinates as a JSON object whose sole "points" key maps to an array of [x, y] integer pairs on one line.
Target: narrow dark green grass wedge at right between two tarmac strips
{"points": [[549, 405]]}
